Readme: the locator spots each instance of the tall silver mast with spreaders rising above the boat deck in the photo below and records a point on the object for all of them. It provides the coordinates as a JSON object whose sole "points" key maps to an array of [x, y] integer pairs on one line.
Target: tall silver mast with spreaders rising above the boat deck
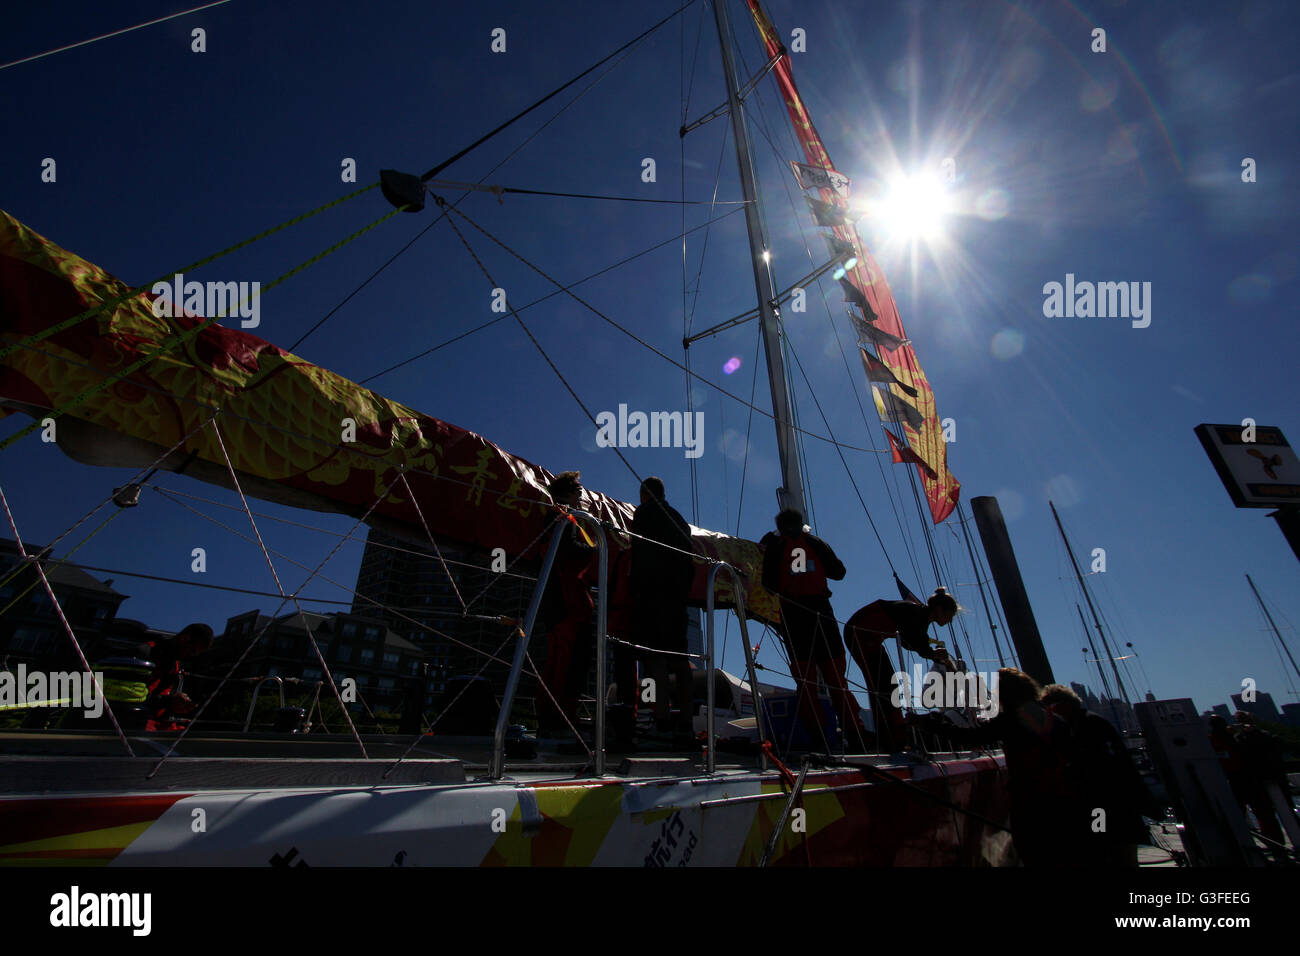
{"points": [[792, 495]]}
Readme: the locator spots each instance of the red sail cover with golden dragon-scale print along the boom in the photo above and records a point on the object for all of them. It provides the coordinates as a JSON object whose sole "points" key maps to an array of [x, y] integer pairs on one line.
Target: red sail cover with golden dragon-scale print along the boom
{"points": [[284, 421]]}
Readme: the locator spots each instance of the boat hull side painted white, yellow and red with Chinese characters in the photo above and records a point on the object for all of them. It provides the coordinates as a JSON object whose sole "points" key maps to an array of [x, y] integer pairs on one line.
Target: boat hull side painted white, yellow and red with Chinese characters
{"points": [[850, 819]]}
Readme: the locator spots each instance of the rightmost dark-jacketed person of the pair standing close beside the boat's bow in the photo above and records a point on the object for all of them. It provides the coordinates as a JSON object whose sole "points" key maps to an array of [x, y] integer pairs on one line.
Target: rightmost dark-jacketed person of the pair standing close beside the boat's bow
{"points": [[1103, 777]]}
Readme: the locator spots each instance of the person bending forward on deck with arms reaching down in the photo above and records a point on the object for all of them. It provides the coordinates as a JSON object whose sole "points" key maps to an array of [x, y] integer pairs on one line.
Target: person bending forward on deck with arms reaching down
{"points": [[868, 631]]}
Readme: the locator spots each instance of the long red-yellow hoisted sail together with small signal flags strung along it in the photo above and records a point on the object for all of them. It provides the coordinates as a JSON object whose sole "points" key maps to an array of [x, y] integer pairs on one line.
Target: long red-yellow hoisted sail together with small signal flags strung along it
{"points": [[925, 436]]}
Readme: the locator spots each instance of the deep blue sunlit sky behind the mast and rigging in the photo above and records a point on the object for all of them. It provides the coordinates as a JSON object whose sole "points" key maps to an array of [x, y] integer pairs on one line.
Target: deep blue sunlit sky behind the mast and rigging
{"points": [[1115, 167]]}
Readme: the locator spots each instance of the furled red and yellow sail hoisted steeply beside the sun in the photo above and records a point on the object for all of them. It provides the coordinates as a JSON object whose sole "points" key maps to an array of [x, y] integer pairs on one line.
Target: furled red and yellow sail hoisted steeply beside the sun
{"points": [[911, 401]]}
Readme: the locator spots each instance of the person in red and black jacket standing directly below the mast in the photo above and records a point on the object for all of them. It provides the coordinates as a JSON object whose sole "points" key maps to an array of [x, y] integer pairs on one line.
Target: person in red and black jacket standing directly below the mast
{"points": [[796, 568]]}
